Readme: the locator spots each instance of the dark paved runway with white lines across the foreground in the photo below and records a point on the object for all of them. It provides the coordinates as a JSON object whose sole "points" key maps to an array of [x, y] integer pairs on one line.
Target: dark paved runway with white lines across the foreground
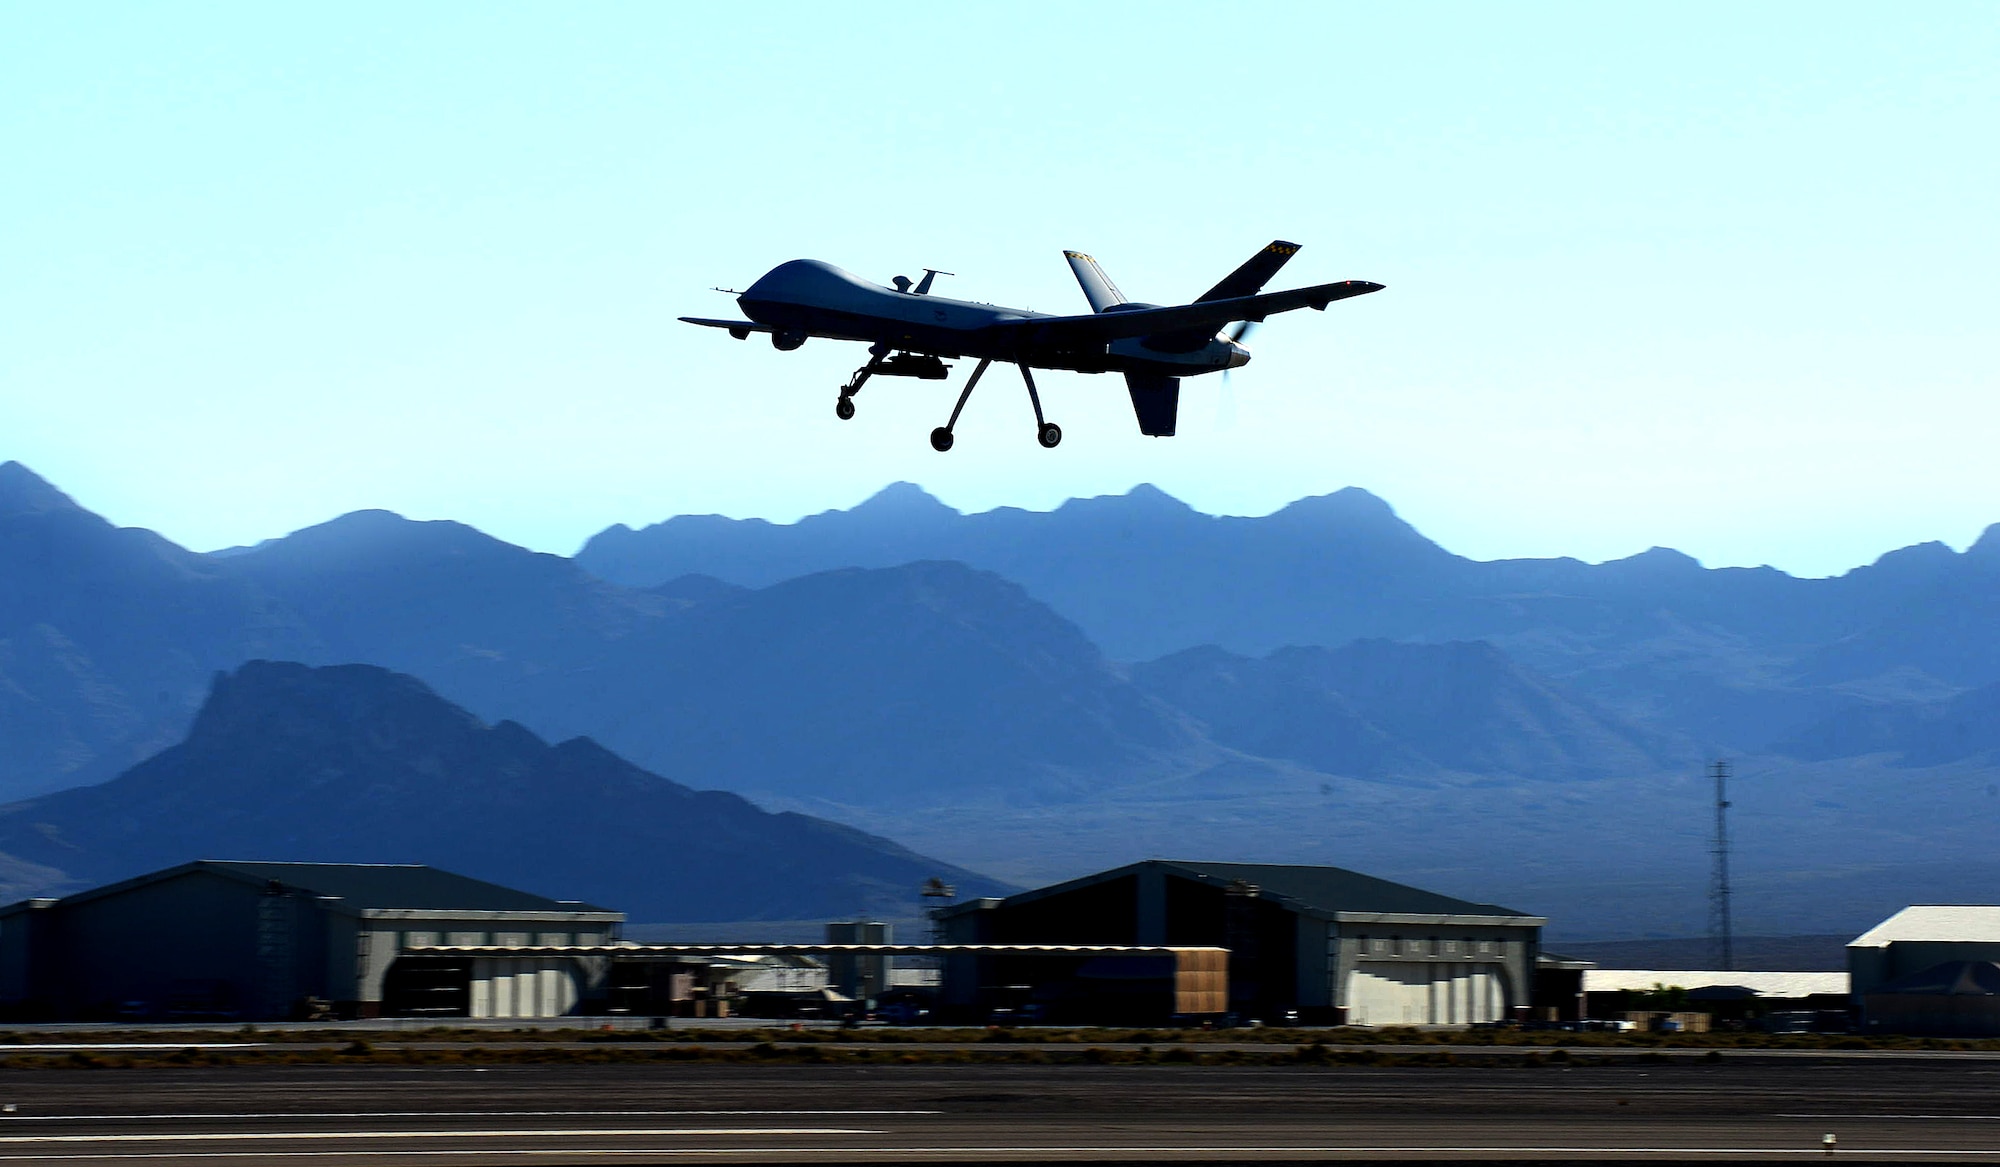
{"points": [[1021, 1114]]}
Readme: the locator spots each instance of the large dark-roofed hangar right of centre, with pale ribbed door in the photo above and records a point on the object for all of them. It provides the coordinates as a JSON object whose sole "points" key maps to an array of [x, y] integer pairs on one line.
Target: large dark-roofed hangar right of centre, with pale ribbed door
{"points": [[1329, 944]]}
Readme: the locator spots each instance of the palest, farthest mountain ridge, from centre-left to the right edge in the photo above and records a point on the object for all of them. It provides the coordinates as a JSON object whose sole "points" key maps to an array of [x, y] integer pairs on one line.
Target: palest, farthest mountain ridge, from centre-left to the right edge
{"points": [[1729, 656]]}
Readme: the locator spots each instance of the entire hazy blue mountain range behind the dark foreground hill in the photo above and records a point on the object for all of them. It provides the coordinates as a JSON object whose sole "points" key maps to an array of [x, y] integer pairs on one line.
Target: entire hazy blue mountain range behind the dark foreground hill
{"points": [[1041, 694]]}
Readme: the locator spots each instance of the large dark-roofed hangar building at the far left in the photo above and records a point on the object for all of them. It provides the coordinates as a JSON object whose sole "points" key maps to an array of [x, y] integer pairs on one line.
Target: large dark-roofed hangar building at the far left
{"points": [[275, 940]]}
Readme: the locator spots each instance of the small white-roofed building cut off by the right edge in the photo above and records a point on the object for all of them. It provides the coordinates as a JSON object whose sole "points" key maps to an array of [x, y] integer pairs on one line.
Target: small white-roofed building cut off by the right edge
{"points": [[1931, 970]]}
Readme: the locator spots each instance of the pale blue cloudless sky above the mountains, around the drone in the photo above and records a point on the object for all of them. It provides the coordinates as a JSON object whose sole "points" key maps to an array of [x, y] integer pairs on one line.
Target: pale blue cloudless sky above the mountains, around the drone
{"points": [[1713, 277]]}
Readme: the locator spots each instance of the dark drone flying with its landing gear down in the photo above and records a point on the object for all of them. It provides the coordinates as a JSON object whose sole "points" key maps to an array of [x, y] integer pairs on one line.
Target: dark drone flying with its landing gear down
{"points": [[911, 333]]}
